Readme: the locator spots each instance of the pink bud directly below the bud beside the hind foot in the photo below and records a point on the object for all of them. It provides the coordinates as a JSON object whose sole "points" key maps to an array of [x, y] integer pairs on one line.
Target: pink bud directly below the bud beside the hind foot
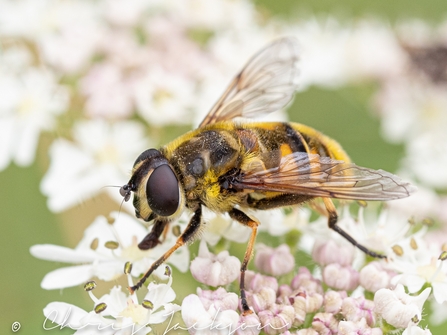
{"points": [[341, 277]]}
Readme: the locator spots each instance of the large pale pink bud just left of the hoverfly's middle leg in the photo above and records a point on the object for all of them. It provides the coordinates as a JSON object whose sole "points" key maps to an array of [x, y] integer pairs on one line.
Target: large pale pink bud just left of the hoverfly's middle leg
{"points": [[214, 270]]}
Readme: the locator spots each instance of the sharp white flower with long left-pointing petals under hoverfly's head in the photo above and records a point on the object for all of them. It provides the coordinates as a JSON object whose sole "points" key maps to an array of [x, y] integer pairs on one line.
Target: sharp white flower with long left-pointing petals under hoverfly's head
{"points": [[103, 251]]}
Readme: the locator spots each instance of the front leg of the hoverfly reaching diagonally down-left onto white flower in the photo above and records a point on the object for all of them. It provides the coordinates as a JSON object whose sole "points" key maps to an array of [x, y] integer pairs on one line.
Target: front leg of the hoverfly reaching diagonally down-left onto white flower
{"points": [[188, 235]]}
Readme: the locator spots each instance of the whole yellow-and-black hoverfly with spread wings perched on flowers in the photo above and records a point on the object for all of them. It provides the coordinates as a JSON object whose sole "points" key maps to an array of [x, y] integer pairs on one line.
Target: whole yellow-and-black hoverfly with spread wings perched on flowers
{"points": [[230, 166]]}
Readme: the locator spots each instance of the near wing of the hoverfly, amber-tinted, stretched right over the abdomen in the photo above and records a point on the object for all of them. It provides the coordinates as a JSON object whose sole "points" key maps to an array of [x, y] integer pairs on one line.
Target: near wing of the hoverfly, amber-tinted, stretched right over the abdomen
{"points": [[302, 173]]}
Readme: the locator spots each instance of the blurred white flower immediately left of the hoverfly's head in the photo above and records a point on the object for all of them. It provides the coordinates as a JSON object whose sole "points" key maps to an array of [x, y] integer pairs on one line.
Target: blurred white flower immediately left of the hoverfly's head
{"points": [[102, 154]]}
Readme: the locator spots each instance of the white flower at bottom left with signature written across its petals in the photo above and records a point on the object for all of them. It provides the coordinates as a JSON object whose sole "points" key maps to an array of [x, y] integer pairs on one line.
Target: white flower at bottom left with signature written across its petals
{"points": [[116, 311]]}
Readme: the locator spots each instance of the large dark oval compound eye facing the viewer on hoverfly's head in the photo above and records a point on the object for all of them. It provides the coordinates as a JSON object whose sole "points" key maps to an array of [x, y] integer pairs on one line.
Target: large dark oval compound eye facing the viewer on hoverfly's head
{"points": [[163, 195]]}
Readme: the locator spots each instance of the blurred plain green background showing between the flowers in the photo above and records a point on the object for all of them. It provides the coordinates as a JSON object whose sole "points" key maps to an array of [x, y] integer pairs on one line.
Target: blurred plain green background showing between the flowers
{"points": [[343, 114]]}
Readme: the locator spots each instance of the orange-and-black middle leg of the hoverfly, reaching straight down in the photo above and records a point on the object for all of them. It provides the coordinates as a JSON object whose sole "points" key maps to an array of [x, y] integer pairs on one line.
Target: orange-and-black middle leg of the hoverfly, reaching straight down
{"points": [[240, 216]]}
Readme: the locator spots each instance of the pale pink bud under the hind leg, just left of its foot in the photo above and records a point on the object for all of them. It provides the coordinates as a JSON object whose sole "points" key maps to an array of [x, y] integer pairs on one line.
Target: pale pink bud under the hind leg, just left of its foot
{"points": [[328, 251]]}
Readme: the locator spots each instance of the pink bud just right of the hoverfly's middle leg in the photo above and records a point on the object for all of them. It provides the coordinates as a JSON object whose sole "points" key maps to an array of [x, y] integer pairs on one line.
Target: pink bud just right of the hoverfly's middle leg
{"points": [[273, 261]]}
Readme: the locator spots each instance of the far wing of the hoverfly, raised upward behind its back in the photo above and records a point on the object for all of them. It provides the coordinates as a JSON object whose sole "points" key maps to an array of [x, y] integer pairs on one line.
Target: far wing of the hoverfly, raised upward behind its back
{"points": [[266, 84]]}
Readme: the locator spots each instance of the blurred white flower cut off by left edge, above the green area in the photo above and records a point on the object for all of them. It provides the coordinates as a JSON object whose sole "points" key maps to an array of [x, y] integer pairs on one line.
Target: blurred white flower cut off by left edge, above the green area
{"points": [[29, 105]]}
